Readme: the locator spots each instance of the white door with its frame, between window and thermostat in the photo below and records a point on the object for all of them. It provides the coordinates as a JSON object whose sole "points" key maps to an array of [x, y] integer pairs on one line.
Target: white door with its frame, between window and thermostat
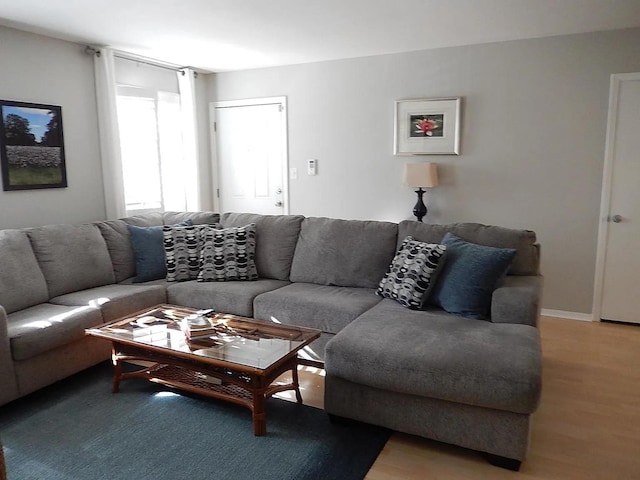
{"points": [[251, 155]]}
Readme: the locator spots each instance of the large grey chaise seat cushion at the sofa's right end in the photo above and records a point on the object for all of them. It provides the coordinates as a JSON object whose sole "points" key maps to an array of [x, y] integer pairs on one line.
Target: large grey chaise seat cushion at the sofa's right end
{"points": [[437, 355]]}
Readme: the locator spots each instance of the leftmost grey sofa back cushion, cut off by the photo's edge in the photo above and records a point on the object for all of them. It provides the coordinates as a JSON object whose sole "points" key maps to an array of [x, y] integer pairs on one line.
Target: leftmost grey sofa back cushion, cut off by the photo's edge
{"points": [[22, 283]]}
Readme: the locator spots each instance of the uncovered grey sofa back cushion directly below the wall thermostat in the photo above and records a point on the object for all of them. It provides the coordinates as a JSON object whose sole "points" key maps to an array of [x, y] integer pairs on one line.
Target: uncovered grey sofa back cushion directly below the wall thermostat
{"points": [[346, 253]]}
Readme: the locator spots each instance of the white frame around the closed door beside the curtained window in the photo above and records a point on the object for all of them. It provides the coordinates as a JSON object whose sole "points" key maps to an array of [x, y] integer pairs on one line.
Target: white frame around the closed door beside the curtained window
{"points": [[281, 100]]}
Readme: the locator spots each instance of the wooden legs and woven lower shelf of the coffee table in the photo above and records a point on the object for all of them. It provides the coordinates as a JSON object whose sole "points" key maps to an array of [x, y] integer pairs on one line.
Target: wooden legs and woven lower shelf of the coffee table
{"points": [[189, 380]]}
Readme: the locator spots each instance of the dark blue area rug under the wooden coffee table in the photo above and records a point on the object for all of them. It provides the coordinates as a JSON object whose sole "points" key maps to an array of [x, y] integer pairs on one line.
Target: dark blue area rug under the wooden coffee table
{"points": [[78, 430]]}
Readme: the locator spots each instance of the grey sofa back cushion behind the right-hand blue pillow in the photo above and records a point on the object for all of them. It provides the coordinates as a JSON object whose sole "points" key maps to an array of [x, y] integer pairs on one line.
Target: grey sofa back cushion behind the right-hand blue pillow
{"points": [[526, 261]]}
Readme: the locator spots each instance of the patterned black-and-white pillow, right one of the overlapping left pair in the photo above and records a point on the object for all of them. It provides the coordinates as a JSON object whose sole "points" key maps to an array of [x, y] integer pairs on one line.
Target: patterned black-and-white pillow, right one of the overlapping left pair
{"points": [[228, 254]]}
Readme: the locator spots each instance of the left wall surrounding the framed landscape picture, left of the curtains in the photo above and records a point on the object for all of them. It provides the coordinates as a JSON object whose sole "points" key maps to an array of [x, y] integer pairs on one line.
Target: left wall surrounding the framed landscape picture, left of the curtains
{"points": [[39, 69]]}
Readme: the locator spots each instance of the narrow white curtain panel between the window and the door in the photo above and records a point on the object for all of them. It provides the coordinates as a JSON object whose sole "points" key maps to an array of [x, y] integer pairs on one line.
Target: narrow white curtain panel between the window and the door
{"points": [[187, 87]]}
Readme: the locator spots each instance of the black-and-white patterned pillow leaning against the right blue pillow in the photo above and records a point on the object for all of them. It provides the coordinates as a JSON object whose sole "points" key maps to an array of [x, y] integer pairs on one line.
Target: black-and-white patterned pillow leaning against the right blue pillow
{"points": [[412, 273]]}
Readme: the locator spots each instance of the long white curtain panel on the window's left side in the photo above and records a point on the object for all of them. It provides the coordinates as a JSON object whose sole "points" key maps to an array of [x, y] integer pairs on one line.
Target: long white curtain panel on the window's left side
{"points": [[109, 134]]}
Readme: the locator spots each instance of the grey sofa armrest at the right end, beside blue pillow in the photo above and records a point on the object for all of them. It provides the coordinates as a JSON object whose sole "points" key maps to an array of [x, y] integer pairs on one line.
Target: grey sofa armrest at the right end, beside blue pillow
{"points": [[517, 300]]}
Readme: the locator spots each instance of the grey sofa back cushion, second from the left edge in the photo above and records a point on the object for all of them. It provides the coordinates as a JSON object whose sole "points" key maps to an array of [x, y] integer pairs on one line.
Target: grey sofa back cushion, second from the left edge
{"points": [[72, 257]]}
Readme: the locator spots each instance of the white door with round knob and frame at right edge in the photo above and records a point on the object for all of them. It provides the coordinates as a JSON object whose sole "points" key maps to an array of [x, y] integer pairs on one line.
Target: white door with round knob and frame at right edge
{"points": [[621, 204]]}
